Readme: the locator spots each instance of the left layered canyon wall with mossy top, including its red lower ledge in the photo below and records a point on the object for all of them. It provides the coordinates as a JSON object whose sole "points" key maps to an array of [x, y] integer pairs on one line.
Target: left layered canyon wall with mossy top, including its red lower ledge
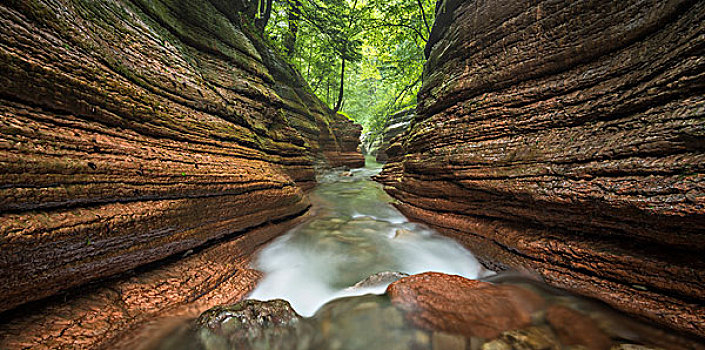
{"points": [[132, 131]]}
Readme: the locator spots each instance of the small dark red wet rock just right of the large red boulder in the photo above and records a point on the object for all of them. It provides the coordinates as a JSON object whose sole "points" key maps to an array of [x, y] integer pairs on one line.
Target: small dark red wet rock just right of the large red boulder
{"points": [[574, 328]]}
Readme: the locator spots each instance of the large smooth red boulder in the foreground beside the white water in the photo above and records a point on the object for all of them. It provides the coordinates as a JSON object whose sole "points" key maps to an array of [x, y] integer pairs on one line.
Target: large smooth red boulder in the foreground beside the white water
{"points": [[455, 304]]}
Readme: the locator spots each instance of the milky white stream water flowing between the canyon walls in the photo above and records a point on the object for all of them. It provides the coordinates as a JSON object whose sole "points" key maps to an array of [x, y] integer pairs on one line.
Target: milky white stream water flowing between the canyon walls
{"points": [[354, 234]]}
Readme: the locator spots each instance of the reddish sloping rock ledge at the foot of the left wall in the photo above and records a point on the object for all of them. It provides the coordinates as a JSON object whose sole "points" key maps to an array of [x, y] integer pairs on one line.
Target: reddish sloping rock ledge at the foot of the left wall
{"points": [[110, 314]]}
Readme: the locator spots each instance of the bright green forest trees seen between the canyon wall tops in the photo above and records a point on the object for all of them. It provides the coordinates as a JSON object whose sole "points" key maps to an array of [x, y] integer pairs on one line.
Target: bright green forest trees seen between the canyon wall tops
{"points": [[362, 57]]}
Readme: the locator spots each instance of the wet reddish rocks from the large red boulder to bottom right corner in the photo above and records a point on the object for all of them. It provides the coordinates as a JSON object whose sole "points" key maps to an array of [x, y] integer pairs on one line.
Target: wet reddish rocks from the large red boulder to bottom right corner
{"points": [[519, 313]]}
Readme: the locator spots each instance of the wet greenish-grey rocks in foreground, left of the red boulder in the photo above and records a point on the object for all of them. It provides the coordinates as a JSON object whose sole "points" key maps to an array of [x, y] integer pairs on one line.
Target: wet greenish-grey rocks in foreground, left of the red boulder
{"points": [[366, 322]]}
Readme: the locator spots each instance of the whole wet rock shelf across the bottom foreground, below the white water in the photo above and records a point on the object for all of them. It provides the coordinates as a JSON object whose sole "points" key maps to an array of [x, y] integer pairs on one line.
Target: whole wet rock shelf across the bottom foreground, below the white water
{"points": [[392, 322]]}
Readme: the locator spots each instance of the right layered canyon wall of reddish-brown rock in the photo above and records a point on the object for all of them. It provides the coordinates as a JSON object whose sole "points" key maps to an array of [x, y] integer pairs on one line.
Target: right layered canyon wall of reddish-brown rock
{"points": [[568, 138]]}
